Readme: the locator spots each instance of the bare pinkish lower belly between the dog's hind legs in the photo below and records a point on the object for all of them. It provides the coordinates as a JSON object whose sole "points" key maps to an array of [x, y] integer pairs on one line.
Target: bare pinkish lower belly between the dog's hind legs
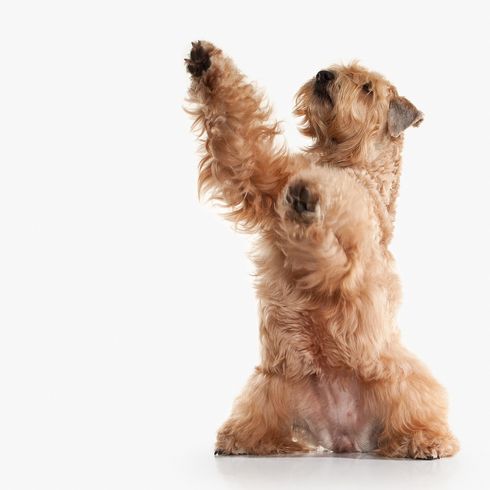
{"points": [[334, 417]]}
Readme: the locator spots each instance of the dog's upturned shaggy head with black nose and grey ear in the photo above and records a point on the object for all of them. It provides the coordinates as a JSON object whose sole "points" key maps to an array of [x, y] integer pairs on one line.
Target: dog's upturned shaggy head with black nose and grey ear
{"points": [[353, 114]]}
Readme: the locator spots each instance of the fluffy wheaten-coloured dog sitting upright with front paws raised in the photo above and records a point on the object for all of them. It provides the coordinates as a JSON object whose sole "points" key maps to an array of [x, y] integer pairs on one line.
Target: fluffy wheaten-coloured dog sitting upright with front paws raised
{"points": [[333, 373]]}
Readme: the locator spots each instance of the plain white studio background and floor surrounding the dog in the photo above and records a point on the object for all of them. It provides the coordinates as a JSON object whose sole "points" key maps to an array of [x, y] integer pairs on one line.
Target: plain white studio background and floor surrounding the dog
{"points": [[127, 317]]}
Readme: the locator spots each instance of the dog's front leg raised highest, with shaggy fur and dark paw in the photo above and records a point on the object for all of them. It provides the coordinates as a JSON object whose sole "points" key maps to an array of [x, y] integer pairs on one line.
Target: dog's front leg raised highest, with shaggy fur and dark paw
{"points": [[241, 166]]}
